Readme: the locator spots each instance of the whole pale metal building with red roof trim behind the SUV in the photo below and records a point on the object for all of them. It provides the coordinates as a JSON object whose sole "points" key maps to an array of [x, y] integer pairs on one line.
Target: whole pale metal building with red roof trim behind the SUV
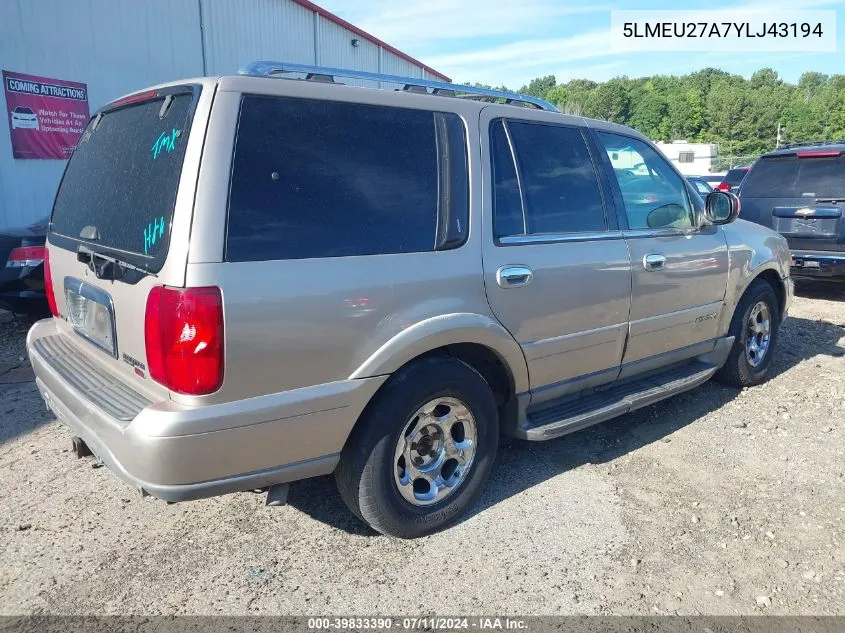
{"points": [[117, 46]]}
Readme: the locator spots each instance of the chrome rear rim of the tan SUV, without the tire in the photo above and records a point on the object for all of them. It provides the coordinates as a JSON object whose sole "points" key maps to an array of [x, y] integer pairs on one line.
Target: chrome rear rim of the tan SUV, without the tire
{"points": [[435, 451]]}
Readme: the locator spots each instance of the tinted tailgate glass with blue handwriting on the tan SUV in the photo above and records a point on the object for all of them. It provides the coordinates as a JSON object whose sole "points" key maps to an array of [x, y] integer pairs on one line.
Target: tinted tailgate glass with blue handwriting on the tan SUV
{"points": [[122, 180]]}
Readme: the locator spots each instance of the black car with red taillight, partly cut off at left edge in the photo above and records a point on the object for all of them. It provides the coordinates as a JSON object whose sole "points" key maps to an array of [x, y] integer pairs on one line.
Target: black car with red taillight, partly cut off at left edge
{"points": [[22, 269]]}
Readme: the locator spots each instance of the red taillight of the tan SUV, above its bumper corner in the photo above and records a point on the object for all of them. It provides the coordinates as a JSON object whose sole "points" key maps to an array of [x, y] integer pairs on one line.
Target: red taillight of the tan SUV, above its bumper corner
{"points": [[183, 332]]}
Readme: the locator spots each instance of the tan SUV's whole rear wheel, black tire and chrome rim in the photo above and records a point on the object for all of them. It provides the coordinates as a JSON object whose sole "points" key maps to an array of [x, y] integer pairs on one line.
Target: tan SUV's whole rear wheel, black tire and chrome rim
{"points": [[422, 450]]}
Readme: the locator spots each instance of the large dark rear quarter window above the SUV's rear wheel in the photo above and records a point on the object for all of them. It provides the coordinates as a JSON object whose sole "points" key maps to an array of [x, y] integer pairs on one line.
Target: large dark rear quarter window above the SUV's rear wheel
{"points": [[328, 179]]}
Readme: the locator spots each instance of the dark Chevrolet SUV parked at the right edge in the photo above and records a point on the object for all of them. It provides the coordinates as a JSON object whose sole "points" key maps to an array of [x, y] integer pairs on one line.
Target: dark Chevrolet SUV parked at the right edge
{"points": [[800, 192]]}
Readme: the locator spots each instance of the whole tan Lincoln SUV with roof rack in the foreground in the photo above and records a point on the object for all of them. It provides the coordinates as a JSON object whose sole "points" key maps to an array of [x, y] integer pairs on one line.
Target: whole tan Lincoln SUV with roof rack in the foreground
{"points": [[261, 278]]}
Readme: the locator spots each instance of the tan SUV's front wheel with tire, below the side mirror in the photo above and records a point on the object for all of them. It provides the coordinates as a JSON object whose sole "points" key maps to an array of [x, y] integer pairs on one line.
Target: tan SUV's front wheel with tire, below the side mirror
{"points": [[754, 327]]}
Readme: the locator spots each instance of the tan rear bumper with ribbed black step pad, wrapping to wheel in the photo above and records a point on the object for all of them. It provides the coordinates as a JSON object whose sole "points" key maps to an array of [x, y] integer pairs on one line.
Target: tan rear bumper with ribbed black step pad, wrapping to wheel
{"points": [[179, 453]]}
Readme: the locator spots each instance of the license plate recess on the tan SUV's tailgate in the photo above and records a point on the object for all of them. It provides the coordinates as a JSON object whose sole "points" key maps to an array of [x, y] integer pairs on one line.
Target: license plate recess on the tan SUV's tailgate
{"points": [[90, 311]]}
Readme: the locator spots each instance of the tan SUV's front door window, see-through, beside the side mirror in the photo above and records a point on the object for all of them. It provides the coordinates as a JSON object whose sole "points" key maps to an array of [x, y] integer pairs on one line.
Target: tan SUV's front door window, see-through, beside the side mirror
{"points": [[653, 193]]}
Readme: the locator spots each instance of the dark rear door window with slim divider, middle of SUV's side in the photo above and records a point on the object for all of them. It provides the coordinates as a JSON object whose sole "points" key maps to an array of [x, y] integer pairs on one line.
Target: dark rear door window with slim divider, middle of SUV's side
{"points": [[553, 188]]}
